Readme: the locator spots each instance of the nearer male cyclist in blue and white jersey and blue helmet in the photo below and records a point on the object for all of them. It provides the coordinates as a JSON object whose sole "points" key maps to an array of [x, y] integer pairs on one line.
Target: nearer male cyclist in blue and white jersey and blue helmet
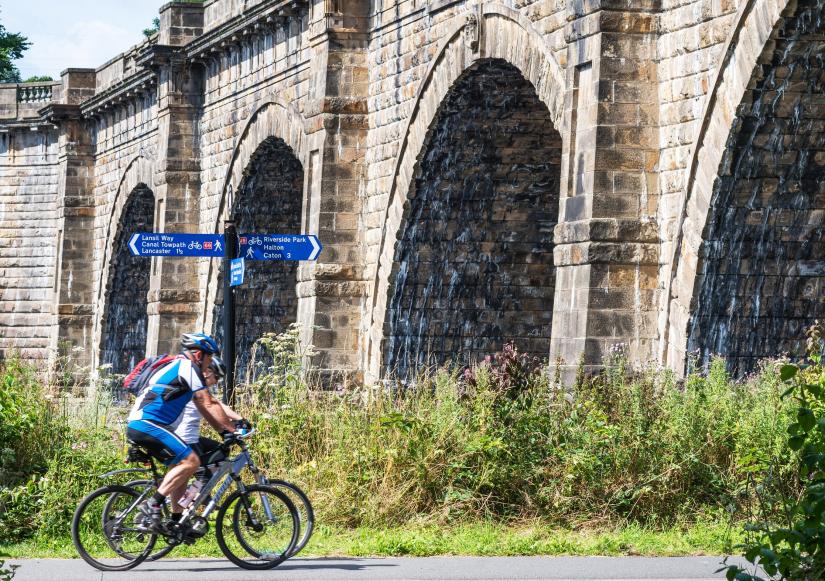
{"points": [[159, 407]]}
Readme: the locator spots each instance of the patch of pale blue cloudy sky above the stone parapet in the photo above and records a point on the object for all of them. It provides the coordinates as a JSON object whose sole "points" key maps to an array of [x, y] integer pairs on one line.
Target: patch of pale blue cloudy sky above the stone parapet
{"points": [[75, 33]]}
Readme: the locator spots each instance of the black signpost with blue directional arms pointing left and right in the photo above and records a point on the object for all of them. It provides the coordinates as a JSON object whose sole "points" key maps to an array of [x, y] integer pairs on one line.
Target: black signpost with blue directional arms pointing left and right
{"points": [[234, 251]]}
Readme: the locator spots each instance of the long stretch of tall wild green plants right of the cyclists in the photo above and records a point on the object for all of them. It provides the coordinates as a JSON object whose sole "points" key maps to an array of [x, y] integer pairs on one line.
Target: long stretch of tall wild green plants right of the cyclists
{"points": [[499, 441]]}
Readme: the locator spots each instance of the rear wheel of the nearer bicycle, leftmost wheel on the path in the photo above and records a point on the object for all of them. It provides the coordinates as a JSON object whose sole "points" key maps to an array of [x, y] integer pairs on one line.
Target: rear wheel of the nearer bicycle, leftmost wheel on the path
{"points": [[105, 530]]}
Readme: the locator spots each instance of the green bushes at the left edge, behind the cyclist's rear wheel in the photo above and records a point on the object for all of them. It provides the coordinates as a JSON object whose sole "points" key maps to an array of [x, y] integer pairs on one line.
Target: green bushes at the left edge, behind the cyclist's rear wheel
{"points": [[50, 454]]}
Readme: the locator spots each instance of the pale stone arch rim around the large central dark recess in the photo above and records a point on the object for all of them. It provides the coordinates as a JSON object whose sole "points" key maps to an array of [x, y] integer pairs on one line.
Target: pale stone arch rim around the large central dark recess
{"points": [[494, 32]]}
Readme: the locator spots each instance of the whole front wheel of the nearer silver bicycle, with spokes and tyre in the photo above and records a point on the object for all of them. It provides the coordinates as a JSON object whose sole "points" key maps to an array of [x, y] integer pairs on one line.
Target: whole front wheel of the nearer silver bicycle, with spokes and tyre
{"points": [[257, 528]]}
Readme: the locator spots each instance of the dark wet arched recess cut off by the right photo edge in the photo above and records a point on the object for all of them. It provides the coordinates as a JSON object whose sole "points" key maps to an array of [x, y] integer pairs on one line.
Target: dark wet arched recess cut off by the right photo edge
{"points": [[761, 265]]}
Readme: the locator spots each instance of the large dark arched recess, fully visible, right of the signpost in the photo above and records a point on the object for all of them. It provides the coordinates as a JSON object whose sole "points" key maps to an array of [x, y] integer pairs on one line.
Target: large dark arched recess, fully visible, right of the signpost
{"points": [[474, 256]]}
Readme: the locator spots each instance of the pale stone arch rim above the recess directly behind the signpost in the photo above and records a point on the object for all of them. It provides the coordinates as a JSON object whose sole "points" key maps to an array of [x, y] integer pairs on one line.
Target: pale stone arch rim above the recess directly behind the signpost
{"points": [[272, 119]]}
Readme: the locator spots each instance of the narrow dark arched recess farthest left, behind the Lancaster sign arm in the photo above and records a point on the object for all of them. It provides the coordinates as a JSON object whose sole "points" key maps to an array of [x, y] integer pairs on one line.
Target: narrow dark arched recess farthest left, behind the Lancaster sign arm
{"points": [[125, 320]]}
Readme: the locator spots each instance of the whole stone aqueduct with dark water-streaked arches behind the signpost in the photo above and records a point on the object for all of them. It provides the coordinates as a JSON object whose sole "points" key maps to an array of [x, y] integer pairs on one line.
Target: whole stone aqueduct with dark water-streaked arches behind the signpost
{"points": [[564, 173]]}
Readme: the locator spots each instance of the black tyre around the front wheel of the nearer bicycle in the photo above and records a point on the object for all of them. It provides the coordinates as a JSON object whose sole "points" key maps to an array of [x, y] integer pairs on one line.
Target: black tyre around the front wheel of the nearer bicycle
{"points": [[268, 563]]}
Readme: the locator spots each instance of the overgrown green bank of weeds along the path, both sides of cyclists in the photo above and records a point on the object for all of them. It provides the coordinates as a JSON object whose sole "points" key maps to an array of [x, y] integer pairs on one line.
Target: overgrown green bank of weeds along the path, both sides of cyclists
{"points": [[499, 447]]}
